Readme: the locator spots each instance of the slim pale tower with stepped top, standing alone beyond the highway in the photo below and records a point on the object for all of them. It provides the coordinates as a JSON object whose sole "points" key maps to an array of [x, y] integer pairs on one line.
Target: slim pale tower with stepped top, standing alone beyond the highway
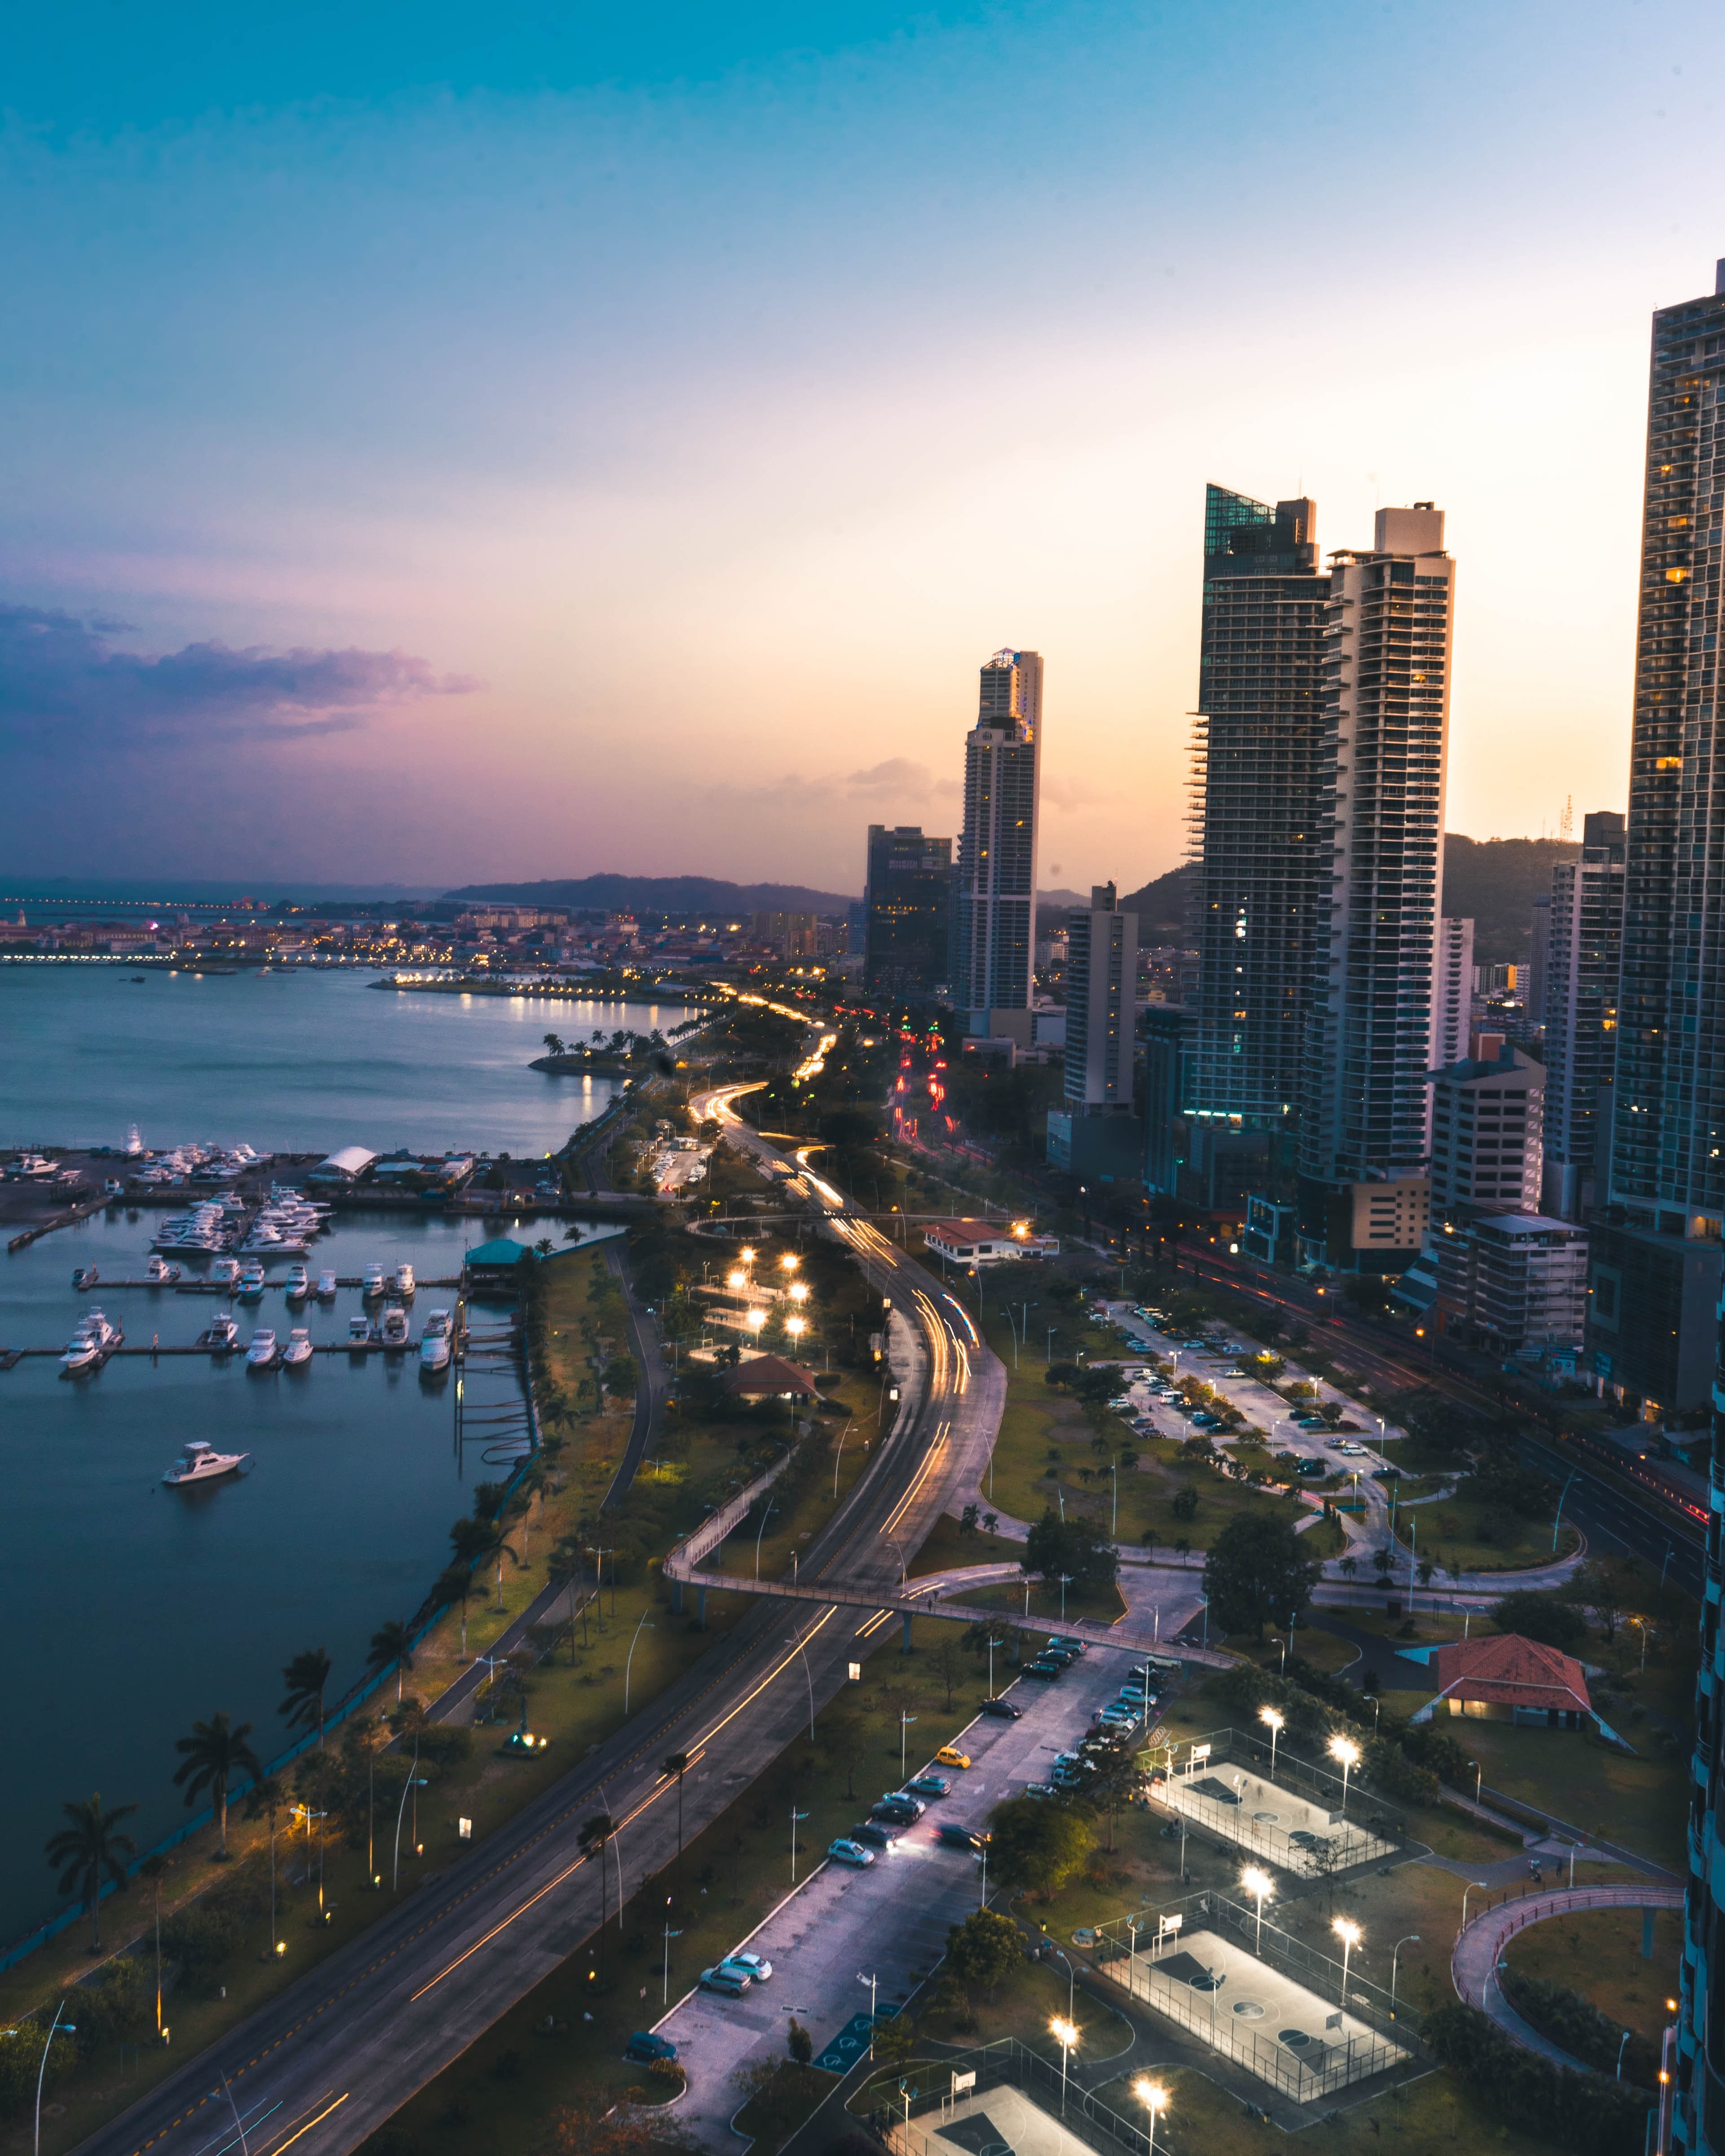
{"points": [[995, 881]]}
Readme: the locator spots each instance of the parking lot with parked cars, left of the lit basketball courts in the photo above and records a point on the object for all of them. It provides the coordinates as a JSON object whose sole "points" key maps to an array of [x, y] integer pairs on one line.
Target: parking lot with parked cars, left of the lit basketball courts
{"points": [[887, 1922]]}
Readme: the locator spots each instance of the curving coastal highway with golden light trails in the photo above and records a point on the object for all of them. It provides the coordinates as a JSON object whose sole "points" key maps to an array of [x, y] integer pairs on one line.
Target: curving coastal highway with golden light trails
{"points": [[333, 2058]]}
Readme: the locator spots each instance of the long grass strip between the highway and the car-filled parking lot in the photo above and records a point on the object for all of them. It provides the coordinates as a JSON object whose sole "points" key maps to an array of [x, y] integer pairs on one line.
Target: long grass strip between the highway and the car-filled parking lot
{"points": [[506, 2088]]}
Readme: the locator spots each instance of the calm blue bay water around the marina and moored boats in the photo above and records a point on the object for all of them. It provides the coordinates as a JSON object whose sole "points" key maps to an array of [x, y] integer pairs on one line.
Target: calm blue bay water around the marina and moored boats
{"points": [[130, 1609]]}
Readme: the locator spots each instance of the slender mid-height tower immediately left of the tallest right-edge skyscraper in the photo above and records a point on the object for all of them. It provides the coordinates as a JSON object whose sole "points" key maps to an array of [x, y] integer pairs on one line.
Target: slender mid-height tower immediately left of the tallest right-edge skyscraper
{"points": [[1582, 1012]]}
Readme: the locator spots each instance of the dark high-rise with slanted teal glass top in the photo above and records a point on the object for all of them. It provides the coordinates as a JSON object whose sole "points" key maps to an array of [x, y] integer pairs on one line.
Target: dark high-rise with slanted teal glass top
{"points": [[1256, 814]]}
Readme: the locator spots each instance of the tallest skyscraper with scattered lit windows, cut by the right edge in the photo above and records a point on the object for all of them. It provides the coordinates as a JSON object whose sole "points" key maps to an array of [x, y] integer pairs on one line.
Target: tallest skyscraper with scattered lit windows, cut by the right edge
{"points": [[1657, 1249]]}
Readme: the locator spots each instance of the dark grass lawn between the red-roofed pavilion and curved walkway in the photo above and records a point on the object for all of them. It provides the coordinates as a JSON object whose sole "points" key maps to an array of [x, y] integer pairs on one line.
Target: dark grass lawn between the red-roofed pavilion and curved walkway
{"points": [[1575, 1778]]}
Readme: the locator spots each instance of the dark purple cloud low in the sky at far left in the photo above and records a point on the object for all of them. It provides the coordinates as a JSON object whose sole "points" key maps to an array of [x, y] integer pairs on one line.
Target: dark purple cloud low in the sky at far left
{"points": [[64, 674]]}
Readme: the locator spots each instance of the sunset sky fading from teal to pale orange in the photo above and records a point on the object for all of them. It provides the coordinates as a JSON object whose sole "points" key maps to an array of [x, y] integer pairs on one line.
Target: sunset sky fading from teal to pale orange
{"points": [[458, 445]]}
